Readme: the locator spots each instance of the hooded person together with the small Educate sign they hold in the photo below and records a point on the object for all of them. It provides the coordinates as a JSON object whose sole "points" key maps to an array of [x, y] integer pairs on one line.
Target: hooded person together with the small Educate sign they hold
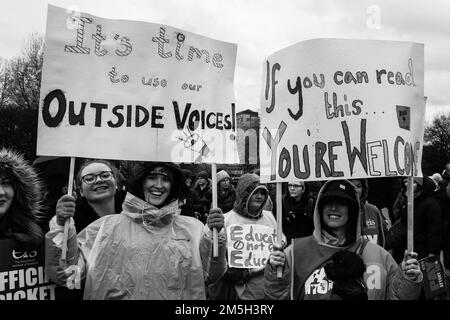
{"points": [[250, 236]]}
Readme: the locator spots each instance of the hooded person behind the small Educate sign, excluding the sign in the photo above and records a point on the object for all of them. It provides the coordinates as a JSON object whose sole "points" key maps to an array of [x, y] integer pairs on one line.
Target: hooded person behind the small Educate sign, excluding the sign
{"points": [[248, 210]]}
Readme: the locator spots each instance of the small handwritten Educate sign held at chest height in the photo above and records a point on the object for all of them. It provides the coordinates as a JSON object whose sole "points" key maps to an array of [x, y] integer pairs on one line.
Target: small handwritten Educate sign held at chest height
{"points": [[249, 245]]}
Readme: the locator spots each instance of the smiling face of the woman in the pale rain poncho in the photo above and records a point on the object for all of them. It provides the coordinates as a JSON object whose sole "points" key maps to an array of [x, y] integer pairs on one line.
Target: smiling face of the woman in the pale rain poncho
{"points": [[157, 187]]}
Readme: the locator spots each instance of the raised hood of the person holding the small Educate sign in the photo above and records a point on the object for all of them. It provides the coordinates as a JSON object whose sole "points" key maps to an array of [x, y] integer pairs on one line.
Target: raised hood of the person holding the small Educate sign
{"points": [[247, 185]]}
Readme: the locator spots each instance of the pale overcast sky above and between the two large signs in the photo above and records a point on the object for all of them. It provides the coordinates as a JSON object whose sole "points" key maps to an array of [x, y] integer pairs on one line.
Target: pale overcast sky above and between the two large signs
{"points": [[261, 27]]}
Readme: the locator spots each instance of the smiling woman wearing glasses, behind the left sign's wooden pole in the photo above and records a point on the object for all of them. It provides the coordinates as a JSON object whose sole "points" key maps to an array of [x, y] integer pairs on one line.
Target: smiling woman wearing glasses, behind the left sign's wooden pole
{"points": [[99, 195]]}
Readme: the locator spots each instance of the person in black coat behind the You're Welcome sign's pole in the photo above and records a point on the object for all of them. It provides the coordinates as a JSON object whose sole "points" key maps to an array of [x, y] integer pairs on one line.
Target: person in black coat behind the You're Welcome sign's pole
{"points": [[427, 219]]}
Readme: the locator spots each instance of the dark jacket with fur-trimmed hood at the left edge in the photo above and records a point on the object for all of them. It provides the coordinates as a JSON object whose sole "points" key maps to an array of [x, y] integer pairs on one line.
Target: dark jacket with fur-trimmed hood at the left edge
{"points": [[20, 221]]}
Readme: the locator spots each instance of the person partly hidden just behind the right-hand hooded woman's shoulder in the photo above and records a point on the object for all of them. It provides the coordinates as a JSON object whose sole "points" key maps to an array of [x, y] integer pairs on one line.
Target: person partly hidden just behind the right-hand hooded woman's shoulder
{"points": [[373, 225]]}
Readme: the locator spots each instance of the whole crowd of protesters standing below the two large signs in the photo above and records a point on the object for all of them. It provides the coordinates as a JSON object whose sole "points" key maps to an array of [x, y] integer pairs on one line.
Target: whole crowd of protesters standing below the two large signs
{"points": [[153, 239]]}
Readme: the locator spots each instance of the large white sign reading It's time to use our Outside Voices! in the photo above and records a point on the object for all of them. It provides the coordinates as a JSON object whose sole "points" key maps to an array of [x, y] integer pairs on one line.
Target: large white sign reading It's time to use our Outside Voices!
{"points": [[132, 90]]}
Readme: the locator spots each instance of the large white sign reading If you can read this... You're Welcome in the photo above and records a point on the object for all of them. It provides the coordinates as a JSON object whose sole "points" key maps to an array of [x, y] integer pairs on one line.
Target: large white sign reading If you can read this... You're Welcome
{"points": [[337, 108]]}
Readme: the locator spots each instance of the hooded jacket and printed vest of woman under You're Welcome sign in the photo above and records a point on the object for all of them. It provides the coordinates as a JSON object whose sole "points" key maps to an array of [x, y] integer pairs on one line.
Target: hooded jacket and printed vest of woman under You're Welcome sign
{"points": [[307, 256]]}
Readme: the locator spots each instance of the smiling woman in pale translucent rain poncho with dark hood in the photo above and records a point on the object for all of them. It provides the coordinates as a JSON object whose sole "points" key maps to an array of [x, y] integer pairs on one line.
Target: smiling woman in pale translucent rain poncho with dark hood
{"points": [[149, 251]]}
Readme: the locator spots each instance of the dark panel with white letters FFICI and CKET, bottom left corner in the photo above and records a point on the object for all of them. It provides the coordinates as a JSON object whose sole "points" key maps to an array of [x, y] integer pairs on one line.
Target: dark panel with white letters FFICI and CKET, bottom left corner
{"points": [[22, 275]]}
